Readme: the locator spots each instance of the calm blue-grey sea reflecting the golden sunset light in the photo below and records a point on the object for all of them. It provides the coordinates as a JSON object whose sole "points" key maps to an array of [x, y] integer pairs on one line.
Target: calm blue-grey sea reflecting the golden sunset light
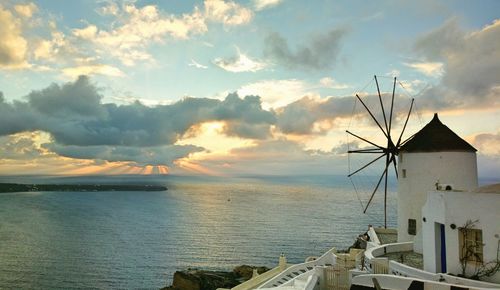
{"points": [[63, 240]]}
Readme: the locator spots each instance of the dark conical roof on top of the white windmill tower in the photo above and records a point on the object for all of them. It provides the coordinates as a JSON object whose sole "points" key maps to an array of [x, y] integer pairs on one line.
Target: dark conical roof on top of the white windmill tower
{"points": [[436, 137]]}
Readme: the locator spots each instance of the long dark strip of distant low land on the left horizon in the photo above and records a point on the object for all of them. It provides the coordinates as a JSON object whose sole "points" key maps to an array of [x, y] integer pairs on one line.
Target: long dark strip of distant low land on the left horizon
{"points": [[17, 187]]}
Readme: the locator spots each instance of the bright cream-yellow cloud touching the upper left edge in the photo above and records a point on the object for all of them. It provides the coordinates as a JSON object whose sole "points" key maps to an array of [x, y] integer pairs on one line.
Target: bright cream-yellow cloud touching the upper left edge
{"points": [[13, 47]]}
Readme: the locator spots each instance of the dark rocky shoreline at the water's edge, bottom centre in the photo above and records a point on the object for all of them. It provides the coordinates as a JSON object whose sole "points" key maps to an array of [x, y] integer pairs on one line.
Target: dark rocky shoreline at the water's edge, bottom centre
{"points": [[194, 279]]}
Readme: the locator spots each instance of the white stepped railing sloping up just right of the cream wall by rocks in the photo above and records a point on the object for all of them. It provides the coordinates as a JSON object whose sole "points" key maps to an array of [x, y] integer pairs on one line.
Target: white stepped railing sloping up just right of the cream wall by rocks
{"points": [[327, 258]]}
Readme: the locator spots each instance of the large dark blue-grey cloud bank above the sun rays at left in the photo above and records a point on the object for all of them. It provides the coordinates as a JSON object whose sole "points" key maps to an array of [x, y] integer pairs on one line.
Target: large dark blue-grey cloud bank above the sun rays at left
{"points": [[81, 126]]}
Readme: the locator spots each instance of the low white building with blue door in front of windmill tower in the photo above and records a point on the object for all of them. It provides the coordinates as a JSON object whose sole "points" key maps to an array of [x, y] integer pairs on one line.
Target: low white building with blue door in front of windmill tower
{"points": [[463, 232]]}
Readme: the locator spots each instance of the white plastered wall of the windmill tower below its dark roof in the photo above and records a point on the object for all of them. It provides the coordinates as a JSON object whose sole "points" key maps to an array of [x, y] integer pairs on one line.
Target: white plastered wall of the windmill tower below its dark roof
{"points": [[423, 170]]}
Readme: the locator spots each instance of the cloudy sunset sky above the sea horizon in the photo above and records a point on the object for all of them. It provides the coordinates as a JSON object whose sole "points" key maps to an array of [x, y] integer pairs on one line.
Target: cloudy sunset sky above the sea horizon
{"points": [[226, 88]]}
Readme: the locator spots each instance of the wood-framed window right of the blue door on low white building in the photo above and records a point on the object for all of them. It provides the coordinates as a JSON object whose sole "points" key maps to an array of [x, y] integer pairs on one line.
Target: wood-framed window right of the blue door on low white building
{"points": [[470, 242]]}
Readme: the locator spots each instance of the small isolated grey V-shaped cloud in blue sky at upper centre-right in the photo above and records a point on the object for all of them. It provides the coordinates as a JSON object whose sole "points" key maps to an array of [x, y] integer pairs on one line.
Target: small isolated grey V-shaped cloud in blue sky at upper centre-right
{"points": [[320, 53]]}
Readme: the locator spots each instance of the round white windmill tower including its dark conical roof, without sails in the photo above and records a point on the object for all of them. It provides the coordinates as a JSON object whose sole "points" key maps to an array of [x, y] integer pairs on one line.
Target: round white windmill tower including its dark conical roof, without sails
{"points": [[435, 158]]}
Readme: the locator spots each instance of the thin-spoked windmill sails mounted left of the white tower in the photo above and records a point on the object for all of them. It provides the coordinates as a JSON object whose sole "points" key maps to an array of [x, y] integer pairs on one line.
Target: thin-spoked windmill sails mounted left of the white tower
{"points": [[383, 152]]}
